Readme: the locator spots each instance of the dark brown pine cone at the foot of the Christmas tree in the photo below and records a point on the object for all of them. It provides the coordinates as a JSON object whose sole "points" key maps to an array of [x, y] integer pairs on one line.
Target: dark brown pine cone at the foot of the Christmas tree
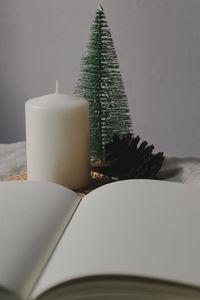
{"points": [[129, 160]]}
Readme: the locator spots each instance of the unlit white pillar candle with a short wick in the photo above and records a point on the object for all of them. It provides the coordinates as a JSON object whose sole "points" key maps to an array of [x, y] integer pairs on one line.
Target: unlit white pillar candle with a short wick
{"points": [[57, 139]]}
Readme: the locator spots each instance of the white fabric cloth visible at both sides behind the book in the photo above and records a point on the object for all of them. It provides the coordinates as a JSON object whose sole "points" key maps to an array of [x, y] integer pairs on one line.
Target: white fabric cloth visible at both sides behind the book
{"points": [[185, 170]]}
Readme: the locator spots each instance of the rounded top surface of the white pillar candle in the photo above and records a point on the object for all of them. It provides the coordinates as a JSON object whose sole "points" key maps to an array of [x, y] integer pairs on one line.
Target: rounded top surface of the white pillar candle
{"points": [[57, 100]]}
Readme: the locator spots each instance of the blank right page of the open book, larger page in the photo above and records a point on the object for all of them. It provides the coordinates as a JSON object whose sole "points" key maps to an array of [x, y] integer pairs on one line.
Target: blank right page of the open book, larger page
{"points": [[135, 227]]}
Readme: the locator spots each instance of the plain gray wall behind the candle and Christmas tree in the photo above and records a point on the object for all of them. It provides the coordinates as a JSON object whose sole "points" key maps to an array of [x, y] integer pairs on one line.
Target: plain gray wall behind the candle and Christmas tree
{"points": [[158, 47]]}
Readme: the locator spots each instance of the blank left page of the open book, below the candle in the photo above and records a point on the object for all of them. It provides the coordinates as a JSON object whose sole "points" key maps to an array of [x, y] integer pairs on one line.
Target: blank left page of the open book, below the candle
{"points": [[33, 216]]}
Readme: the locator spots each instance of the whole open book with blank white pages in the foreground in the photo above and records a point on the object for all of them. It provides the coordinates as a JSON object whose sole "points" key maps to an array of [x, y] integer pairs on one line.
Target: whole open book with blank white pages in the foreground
{"points": [[134, 239]]}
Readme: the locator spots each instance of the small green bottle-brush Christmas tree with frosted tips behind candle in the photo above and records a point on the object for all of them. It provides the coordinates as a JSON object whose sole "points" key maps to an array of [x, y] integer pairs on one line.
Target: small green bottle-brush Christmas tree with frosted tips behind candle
{"points": [[100, 82]]}
